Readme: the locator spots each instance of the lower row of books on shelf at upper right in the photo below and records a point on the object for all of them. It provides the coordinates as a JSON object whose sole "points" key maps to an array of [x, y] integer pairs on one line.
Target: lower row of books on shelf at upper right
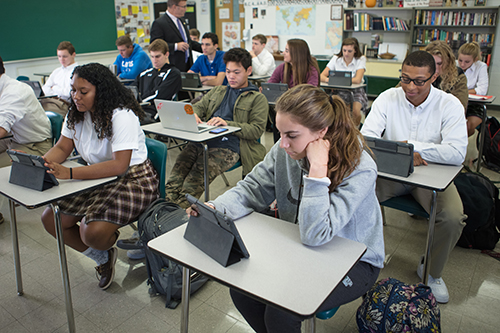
{"points": [[454, 38]]}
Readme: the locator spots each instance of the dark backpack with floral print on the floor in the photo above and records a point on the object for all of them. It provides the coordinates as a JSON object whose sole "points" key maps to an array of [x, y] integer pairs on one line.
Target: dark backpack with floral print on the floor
{"points": [[394, 306]]}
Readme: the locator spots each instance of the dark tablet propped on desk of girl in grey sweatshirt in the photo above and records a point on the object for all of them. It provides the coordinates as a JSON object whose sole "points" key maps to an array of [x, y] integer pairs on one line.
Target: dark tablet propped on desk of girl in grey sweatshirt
{"points": [[215, 234]]}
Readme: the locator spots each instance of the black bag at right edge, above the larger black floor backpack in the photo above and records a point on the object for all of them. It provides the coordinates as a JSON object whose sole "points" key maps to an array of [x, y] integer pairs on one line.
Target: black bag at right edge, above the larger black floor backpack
{"points": [[491, 145]]}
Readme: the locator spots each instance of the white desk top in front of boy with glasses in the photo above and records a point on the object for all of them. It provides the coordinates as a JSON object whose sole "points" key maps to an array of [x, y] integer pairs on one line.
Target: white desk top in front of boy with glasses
{"points": [[432, 176]]}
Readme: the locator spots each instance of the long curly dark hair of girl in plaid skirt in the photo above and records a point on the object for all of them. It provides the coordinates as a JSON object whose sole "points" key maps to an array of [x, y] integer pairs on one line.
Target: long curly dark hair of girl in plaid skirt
{"points": [[110, 94]]}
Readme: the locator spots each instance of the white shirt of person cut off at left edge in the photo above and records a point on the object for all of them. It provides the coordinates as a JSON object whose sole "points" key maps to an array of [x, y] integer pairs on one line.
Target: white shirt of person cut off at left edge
{"points": [[21, 113]]}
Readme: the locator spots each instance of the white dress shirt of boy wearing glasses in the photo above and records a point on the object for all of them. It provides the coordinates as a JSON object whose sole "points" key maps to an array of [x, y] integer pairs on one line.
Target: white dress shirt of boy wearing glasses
{"points": [[436, 128]]}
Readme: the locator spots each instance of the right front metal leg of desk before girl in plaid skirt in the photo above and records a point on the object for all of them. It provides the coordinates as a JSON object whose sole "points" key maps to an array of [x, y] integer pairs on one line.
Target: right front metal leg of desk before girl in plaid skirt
{"points": [[64, 267]]}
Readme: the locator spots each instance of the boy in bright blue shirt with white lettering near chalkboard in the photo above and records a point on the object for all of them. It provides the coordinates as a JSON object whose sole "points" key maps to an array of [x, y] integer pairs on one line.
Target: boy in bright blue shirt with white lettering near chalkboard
{"points": [[132, 60]]}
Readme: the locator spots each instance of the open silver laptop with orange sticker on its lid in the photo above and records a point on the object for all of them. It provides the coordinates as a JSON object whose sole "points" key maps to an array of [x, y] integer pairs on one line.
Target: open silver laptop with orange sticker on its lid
{"points": [[179, 116]]}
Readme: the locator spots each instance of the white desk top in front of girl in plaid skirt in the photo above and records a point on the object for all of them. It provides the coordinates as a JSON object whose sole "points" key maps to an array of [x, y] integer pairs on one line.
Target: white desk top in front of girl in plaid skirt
{"points": [[33, 199]]}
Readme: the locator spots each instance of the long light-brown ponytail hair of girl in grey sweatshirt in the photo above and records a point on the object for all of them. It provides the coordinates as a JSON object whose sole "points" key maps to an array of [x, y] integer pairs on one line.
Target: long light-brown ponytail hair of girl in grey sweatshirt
{"points": [[313, 108]]}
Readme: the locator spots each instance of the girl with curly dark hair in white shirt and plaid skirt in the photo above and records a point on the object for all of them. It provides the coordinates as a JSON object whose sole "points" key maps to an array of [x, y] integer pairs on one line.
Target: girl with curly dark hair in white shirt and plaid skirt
{"points": [[103, 125]]}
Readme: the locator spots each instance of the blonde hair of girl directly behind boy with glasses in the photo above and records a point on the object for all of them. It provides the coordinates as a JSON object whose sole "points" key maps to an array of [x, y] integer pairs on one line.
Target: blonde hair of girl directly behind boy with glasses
{"points": [[449, 74]]}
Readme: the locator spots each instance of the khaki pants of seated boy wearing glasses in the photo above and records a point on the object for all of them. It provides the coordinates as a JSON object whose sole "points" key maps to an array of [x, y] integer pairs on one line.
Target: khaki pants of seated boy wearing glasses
{"points": [[449, 217]]}
